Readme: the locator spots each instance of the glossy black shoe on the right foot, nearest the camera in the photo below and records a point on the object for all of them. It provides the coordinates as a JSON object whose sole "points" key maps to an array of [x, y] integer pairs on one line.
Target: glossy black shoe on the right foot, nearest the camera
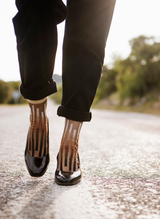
{"points": [[68, 178]]}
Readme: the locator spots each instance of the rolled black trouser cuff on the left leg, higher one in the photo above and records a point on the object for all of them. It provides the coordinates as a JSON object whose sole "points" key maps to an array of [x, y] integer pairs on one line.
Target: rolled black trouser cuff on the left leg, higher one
{"points": [[38, 94]]}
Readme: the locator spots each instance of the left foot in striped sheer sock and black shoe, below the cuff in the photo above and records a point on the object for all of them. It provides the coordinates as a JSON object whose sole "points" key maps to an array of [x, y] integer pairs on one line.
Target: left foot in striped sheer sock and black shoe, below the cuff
{"points": [[37, 147]]}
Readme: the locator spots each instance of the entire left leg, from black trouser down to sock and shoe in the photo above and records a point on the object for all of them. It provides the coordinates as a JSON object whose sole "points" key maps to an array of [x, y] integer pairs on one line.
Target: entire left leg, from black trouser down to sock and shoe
{"points": [[36, 32]]}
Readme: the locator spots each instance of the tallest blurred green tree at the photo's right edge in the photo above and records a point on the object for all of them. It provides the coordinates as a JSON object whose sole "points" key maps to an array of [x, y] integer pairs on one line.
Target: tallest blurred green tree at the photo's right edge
{"points": [[140, 72]]}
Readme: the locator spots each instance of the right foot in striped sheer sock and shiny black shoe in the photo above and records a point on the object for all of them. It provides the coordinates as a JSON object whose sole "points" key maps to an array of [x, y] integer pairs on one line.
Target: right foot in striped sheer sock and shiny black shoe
{"points": [[68, 170]]}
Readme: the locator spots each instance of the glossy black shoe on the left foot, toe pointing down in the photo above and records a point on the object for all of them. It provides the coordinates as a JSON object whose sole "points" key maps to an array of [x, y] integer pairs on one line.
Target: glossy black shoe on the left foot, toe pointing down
{"points": [[37, 166]]}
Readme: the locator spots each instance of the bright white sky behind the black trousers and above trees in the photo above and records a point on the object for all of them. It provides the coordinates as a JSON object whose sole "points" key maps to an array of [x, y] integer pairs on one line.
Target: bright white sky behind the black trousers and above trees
{"points": [[131, 18]]}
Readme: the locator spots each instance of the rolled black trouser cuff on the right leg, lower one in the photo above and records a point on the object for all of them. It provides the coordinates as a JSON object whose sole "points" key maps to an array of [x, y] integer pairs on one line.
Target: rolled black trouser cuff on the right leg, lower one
{"points": [[73, 114]]}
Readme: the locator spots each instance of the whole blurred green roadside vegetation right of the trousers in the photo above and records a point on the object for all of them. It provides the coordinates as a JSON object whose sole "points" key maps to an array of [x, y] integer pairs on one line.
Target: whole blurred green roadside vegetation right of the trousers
{"points": [[133, 84]]}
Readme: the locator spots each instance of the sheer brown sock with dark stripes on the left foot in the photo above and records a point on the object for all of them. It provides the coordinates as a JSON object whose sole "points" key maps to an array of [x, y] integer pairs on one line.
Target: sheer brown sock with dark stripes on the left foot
{"points": [[38, 141]]}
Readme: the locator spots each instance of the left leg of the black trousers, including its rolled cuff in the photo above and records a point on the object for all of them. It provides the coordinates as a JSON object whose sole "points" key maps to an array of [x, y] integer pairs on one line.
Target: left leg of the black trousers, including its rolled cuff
{"points": [[36, 32]]}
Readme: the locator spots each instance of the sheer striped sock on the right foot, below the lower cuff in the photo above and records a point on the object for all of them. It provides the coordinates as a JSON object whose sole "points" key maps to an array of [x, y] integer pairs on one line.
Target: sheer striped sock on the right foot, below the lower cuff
{"points": [[68, 158]]}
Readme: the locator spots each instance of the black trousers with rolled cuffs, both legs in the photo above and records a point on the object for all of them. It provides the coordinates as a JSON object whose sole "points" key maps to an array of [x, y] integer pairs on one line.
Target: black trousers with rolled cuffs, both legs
{"points": [[87, 27]]}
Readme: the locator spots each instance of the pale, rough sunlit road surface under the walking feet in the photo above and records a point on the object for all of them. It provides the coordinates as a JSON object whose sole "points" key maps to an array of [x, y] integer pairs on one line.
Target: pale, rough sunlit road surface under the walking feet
{"points": [[120, 161]]}
